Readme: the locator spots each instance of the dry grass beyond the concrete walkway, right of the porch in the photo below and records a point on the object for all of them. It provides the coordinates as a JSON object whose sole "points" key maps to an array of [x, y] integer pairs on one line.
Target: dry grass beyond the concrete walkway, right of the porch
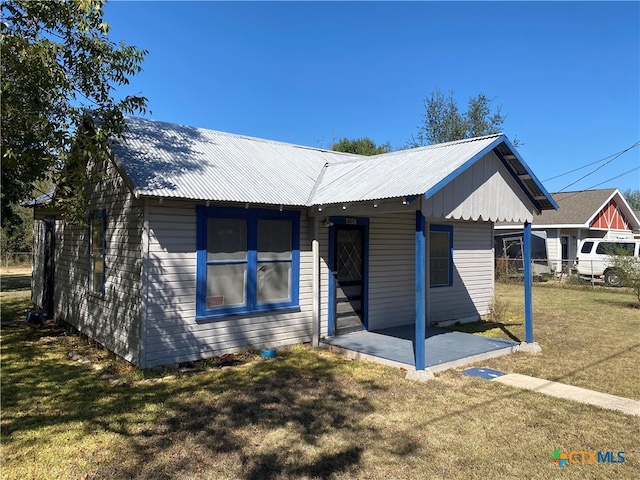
{"points": [[589, 337]]}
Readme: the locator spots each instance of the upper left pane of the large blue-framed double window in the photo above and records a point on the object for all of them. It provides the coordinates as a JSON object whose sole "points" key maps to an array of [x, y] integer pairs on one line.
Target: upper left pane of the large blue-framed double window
{"points": [[226, 239]]}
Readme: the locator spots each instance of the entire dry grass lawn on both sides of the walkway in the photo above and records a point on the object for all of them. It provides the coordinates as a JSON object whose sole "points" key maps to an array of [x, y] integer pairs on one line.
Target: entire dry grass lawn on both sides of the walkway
{"points": [[313, 414]]}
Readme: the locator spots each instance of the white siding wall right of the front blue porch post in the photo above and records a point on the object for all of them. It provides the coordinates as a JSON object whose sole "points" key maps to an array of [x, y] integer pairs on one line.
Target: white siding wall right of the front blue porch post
{"points": [[471, 294]]}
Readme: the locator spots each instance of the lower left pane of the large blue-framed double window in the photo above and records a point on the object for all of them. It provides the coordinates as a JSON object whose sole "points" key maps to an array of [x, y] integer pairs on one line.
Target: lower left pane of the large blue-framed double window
{"points": [[226, 285]]}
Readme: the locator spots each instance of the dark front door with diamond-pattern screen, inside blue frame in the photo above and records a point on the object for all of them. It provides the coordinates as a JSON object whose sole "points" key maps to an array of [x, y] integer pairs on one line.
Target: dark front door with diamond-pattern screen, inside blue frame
{"points": [[349, 278]]}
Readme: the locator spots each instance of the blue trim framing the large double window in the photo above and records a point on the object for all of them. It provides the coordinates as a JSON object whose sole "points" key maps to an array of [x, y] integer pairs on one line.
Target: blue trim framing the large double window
{"points": [[252, 216]]}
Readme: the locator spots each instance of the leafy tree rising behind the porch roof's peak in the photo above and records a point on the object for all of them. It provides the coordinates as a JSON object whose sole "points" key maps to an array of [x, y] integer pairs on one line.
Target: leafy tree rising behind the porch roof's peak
{"points": [[443, 122]]}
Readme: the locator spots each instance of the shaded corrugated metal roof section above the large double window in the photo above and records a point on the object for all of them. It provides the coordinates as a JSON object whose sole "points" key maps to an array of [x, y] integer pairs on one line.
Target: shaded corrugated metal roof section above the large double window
{"points": [[168, 160]]}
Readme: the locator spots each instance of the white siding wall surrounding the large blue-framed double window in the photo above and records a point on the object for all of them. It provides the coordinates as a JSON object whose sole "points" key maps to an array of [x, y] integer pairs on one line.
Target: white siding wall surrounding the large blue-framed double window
{"points": [[171, 333]]}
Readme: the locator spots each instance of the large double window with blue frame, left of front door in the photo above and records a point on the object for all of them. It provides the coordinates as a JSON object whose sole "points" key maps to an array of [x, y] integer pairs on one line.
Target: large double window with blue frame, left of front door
{"points": [[248, 261]]}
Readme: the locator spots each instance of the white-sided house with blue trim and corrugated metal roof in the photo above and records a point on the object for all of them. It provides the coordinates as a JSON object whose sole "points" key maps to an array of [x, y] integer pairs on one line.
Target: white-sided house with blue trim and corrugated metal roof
{"points": [[201, 242]]}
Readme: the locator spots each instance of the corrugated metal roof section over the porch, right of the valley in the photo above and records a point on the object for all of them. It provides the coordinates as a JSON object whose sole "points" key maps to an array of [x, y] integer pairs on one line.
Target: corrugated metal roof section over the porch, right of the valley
{"points": [[397, 174]]}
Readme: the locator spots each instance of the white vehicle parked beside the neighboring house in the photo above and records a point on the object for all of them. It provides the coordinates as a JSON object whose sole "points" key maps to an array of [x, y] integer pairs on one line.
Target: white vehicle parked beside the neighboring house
{"points": [[594, 258]]}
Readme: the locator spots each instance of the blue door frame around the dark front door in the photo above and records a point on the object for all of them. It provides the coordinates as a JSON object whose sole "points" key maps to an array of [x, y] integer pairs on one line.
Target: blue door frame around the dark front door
{"points": [[331, 308]]}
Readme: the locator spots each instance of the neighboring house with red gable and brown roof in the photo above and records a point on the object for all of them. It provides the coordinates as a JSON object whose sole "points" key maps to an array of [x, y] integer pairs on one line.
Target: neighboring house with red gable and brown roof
{"points": [[583, 214]]}
